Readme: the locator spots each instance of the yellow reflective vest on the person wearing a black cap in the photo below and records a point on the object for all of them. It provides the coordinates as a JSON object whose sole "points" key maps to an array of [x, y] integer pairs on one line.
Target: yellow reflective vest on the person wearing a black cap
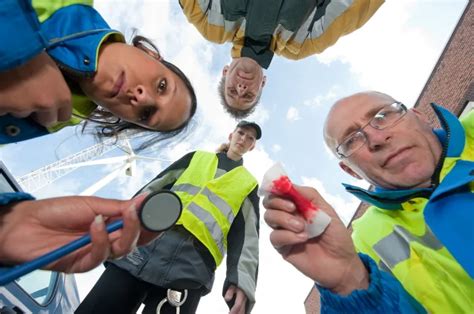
{"points": [[210, 204]]}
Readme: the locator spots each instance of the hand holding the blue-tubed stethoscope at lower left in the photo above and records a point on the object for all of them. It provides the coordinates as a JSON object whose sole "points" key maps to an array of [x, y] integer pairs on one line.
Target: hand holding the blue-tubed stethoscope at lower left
{"points": [[29, 229]]}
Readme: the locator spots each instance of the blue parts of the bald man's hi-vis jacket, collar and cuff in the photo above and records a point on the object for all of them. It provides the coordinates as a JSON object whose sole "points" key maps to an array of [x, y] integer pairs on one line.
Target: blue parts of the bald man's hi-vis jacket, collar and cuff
{"points": [[448, 213]]}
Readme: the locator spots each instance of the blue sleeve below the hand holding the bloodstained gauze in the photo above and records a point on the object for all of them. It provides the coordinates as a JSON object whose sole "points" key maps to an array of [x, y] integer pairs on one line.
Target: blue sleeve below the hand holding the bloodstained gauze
{"points": [[384, 295]]}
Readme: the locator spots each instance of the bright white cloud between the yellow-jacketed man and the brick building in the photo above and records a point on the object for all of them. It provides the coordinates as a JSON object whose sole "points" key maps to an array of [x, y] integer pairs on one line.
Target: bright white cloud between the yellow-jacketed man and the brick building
{"points": [[389, 53]]}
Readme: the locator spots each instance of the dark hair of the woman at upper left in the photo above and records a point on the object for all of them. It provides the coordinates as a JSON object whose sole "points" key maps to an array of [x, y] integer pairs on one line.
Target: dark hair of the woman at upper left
{"points": [[108, 125]]}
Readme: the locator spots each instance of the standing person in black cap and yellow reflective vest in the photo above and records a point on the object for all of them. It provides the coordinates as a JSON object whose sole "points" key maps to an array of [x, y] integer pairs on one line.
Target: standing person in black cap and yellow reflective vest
{"points": [[220, 216]]}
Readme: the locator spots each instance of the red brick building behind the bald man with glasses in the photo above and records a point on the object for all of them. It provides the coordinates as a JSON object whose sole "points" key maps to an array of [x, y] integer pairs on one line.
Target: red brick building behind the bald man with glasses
{"points": [[451, 84]]}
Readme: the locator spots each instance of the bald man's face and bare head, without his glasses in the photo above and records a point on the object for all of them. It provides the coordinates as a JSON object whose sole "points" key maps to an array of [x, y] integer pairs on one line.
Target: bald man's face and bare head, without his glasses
{"points": [[402, 156]]}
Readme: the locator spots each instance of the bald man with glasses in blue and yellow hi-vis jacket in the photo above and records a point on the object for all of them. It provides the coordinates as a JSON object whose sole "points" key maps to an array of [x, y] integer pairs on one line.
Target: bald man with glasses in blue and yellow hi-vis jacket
{"points": [[415, 241]]}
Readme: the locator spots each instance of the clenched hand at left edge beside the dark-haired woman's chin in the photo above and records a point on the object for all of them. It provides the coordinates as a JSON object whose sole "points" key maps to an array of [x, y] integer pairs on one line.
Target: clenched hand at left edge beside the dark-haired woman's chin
{"points": [[36, 87]]}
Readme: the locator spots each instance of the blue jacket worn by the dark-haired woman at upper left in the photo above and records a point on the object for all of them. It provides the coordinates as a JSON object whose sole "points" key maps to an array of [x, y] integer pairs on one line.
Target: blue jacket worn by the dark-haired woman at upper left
{"points": [[71, 36]]}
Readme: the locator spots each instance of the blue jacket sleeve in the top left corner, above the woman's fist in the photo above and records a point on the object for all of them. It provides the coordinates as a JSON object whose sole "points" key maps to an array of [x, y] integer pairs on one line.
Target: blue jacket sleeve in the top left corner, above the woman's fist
{"points": [[26, 41]]}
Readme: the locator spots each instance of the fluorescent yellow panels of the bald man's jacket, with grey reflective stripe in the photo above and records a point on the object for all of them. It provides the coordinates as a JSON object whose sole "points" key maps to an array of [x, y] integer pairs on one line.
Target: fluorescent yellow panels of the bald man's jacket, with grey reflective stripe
{"points": [[401, 243]]}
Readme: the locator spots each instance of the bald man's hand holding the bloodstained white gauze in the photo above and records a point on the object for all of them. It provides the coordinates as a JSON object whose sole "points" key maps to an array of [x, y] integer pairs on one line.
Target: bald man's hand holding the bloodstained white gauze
{"points": [[329, 259]]}
